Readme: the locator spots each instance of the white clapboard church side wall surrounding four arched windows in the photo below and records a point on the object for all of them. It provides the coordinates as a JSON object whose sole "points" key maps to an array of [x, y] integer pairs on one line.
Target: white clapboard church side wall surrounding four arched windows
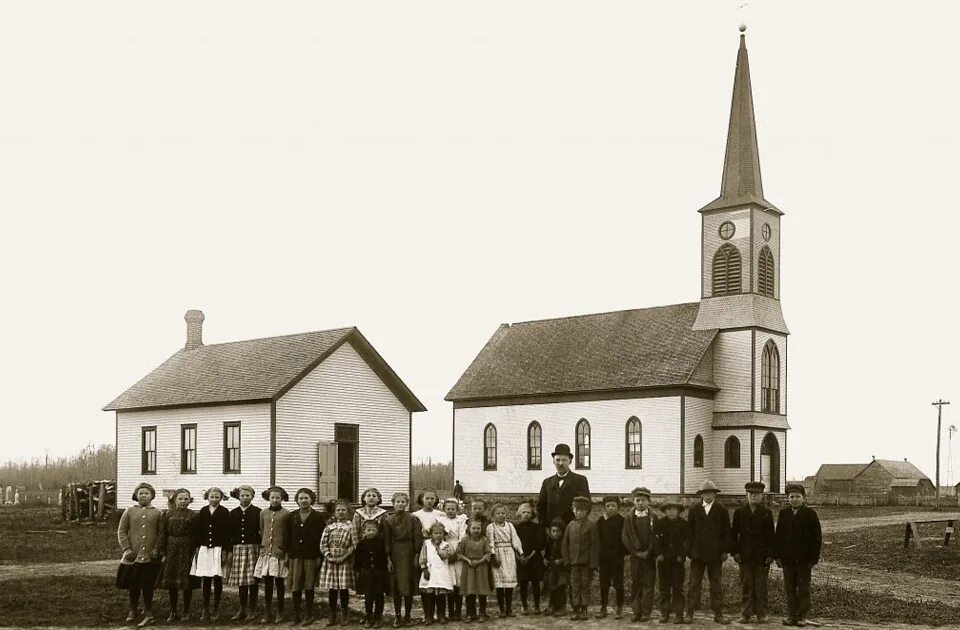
{"points": [[660, 418]]}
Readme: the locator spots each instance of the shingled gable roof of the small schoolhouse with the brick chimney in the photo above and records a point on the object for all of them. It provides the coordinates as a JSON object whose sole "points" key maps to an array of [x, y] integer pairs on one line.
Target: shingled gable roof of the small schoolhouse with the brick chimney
{"points": [[250, 371]]}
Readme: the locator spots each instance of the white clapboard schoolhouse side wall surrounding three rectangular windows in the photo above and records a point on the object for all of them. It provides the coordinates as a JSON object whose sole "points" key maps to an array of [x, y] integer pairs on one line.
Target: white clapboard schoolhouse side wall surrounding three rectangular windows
{"points": [[254, 422]]}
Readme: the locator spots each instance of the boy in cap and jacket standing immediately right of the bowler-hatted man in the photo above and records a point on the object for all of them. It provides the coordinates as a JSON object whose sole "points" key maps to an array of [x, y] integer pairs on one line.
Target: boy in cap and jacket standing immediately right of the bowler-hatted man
{"points": [[581, 554]]}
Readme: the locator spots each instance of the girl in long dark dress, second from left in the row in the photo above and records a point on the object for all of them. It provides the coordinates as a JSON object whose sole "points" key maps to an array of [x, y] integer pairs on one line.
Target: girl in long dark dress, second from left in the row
{"points": [[177, 546]]}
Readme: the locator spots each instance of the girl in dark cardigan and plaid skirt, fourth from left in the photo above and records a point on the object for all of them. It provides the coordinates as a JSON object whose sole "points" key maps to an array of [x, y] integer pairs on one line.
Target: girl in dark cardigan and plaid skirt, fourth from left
{"points": [[245, 535]]}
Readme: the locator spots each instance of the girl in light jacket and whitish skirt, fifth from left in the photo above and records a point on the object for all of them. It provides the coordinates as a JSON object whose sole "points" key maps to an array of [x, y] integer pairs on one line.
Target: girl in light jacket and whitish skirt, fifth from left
{"points": [[272, 563]]}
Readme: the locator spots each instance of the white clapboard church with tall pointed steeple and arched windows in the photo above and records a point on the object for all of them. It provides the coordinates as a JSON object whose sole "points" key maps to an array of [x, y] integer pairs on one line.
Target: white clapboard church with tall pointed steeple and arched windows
{"points": [[659, 397]]}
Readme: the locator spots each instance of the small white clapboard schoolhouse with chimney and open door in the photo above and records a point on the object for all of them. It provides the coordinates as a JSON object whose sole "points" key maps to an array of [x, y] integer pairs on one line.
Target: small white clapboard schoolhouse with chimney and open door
{"points": [[321, 410]]}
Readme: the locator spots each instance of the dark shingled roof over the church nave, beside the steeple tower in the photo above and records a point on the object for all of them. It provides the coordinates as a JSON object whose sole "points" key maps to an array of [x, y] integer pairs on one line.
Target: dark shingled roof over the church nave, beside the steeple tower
{"points": [[642, 348]]}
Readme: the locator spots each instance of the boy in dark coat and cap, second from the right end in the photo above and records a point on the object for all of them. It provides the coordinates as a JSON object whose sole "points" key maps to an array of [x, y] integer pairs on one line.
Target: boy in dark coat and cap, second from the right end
{"points": [[751, 543]]}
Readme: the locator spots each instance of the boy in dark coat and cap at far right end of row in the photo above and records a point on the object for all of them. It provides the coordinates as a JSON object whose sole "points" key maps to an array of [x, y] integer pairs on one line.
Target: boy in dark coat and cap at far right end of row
{"points": [[797, 548]]}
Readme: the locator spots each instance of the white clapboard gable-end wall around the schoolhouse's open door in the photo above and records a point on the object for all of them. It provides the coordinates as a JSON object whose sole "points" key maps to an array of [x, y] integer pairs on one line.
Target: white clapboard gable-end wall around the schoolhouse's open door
{"points": [[343, 388]]}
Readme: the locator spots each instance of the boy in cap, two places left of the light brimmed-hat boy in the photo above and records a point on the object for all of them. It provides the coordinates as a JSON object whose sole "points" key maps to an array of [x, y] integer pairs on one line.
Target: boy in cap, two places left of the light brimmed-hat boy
{"points": [[639, 542]]}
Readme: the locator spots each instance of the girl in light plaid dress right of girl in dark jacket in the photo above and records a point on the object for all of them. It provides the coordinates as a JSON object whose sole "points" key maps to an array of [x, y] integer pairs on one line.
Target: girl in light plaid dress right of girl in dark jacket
{"points": [[336, 574]]}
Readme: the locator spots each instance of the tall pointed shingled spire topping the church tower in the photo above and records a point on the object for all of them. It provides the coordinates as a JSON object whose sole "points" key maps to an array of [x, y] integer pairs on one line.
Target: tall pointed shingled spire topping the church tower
{"points": [[741, 164]]}
